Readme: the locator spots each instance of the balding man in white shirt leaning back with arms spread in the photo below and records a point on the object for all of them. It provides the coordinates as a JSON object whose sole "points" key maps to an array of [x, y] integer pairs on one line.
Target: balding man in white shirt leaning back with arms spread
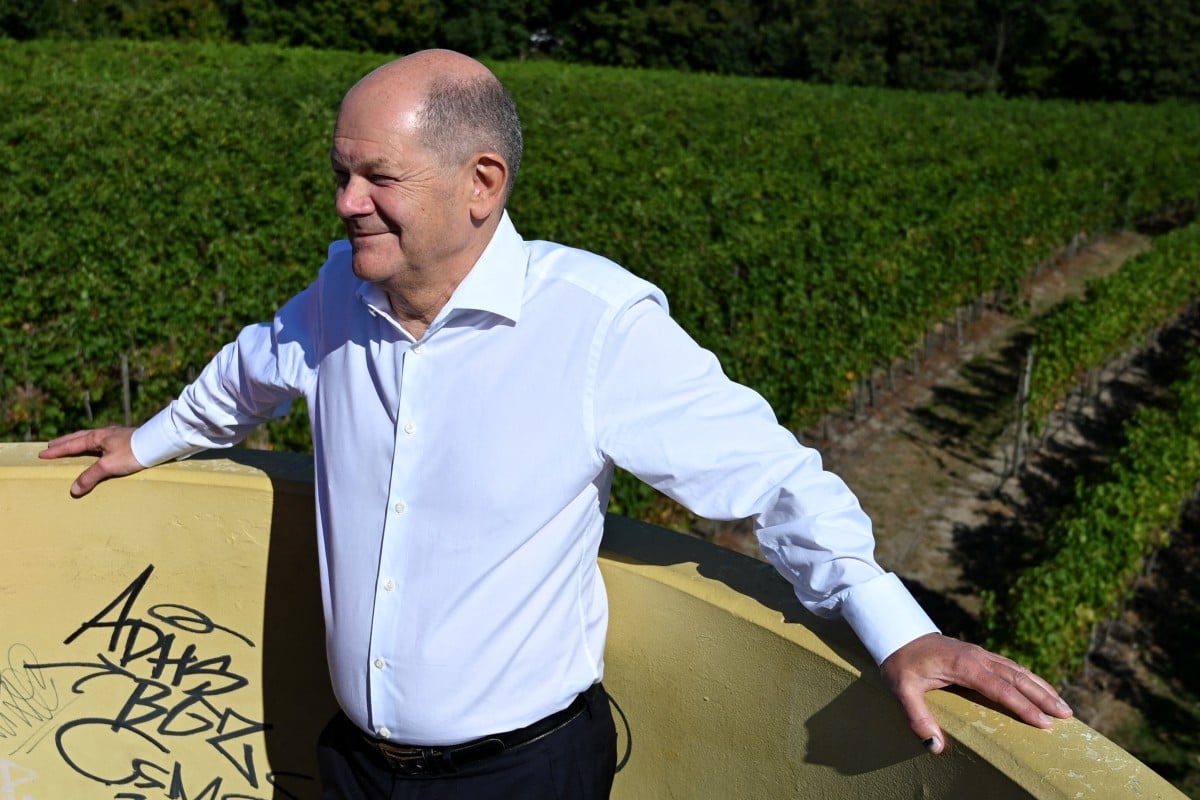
{"points": [[471, 395]]}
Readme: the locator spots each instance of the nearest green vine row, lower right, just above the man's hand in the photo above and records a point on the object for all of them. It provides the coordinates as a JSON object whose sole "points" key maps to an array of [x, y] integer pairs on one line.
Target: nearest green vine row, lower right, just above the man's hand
{"points": [[1094, 554]]}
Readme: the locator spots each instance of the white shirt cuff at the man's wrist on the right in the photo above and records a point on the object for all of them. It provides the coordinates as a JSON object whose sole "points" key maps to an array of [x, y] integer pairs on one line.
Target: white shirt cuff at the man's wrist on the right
{"points": [[885, 616]]}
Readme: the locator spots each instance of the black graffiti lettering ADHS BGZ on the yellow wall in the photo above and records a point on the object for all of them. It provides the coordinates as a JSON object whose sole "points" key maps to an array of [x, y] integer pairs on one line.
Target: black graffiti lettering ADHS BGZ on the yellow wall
{"points": [[142, 679]]}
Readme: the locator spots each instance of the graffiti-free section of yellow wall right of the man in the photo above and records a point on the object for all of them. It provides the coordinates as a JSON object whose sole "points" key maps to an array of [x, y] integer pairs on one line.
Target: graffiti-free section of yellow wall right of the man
{"points": [[731, 690]]}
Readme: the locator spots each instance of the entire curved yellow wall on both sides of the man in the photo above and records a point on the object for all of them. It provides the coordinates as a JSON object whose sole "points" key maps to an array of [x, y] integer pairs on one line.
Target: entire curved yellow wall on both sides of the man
{"points": [[163, 639]]}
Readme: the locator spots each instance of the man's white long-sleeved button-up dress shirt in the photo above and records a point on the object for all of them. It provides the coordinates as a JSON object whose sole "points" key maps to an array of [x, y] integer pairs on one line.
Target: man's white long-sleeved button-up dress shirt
{"points": [[463, 479]]}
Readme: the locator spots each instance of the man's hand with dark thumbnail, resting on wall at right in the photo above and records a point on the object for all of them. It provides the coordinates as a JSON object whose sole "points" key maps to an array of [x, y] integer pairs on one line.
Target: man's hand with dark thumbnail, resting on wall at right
{"points": [[935, 661]]}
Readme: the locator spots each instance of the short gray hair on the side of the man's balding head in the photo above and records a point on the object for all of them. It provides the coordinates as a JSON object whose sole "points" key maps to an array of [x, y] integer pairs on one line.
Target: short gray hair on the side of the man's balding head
{"points": [[464, 117]]}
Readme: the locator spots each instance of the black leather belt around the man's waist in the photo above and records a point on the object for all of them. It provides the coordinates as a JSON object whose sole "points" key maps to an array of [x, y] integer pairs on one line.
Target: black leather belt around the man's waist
{"points": [[416, 760]]}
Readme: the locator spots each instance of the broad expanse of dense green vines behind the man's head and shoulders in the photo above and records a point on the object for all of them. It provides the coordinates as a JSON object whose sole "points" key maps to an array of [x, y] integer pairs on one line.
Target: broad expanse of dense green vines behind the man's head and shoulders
{"points": [[158, 197]]}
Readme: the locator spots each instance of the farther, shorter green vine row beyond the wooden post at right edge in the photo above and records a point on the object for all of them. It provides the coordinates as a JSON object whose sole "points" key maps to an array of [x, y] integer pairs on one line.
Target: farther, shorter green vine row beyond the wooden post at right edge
{"points": [[1082, 335]]}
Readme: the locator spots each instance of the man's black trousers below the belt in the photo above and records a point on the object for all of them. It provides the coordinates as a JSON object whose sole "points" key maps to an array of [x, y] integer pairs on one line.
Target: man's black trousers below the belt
{"points": [[574, 763]]}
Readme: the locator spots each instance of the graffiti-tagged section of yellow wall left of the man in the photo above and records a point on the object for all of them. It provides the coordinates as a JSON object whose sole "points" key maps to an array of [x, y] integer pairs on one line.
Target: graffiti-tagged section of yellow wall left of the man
{"points": [[152, 630]]}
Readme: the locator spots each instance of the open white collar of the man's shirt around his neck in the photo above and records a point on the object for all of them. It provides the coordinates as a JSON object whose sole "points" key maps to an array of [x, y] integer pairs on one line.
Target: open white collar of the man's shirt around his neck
{"points": [[495, 285]]}
